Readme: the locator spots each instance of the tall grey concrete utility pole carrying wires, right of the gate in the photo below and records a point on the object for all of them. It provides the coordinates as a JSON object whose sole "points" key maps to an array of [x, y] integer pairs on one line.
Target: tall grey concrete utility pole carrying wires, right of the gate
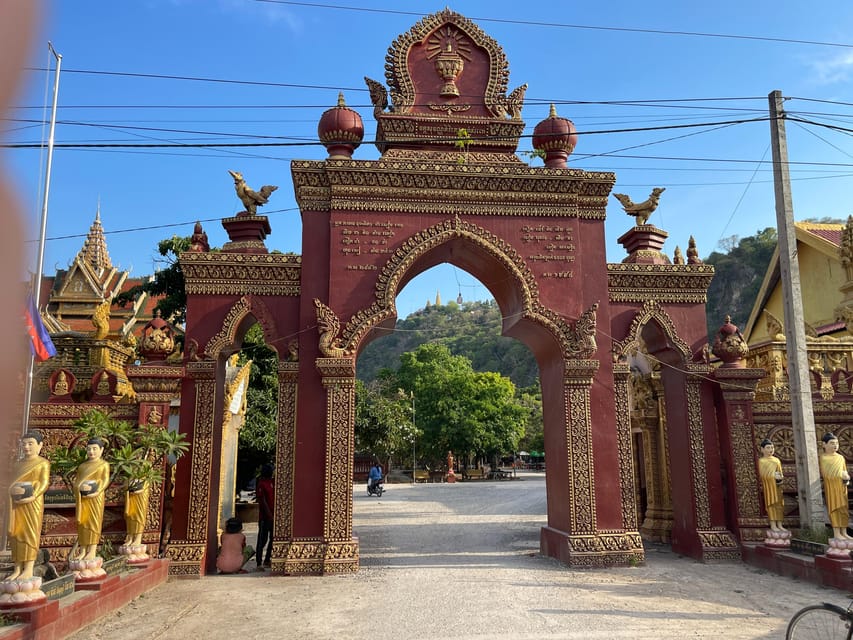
{"points": [[802, 414]]}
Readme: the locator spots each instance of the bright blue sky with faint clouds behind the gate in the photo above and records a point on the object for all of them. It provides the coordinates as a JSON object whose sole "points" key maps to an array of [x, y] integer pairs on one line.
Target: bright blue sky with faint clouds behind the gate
{"points": [[607, 66]]}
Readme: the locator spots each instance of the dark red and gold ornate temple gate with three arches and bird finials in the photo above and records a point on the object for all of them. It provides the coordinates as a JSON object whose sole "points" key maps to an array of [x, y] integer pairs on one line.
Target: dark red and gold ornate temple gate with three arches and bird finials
{"points": [[449, 187]]}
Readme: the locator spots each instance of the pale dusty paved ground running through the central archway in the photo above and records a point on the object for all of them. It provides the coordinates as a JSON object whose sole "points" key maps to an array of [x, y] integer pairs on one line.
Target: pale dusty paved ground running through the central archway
{"points": [[461, 561]]}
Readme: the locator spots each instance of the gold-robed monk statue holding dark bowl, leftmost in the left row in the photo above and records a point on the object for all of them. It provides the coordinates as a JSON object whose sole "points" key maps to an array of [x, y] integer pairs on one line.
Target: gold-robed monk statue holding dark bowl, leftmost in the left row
{"points": [[26, 493]]}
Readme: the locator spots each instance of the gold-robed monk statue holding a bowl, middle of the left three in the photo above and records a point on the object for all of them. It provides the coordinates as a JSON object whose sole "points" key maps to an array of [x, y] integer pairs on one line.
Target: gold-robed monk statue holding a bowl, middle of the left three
{"points": [[90, 484]]}
